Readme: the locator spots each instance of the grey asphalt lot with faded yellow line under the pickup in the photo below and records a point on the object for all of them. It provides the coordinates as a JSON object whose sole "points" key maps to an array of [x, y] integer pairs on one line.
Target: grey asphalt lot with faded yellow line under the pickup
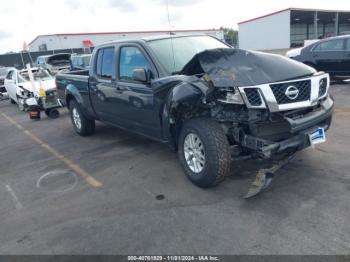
{"points": [[129, 194]]}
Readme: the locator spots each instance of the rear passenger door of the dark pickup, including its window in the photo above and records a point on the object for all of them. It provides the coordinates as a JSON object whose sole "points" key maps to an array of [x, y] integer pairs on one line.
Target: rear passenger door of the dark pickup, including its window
{"points": [[102, 84]]}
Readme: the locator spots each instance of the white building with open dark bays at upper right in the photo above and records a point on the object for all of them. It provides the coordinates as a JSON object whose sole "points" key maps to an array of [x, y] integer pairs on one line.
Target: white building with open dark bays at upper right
{"points": [[291, 27]]}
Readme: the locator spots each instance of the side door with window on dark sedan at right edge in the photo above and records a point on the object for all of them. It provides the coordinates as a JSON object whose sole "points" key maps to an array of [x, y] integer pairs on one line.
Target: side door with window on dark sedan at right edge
{"points": [[329, 56]]}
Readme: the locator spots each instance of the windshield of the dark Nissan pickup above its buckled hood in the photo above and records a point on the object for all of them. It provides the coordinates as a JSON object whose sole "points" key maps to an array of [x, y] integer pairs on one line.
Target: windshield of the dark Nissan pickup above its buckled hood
{"points": [[185, 48]]}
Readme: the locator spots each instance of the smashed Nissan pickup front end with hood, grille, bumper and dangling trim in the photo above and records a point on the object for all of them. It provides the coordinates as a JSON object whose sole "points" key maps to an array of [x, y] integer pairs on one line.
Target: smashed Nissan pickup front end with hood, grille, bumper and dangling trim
{"points": [[268, 105]]}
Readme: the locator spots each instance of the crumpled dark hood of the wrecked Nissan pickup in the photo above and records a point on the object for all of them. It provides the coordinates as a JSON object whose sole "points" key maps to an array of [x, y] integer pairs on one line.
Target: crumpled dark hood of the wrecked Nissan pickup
{"points": [[228, 67]]}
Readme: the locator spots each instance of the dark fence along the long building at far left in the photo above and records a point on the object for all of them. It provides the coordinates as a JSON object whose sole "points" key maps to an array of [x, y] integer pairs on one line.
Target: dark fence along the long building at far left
{"points": [[19, 60]]}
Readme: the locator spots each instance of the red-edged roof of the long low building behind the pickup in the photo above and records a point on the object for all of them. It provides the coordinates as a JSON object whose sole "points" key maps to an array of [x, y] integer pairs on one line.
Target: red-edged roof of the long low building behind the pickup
{"points": [[126, 32]]}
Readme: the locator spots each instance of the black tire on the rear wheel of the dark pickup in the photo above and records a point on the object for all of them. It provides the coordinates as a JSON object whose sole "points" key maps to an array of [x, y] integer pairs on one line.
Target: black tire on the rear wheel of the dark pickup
{"points": [[87, 126]]}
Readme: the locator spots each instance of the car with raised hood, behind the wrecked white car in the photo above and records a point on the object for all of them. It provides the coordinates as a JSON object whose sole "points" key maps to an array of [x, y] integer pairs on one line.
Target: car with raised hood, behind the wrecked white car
{"points": [[54, 63]]}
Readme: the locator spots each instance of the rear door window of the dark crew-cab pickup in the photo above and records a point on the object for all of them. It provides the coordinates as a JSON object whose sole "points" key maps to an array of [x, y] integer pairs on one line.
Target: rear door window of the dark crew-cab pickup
{"points": [[105, 63]]}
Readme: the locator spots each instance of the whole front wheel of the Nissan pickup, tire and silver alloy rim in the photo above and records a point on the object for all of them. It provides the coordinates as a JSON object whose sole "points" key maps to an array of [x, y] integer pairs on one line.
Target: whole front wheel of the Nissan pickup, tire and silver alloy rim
{"points": [[204, 152]]}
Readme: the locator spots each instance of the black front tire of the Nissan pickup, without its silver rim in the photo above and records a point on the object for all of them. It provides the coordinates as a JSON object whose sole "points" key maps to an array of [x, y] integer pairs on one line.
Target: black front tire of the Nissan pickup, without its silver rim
{"points": [[216, 151]]}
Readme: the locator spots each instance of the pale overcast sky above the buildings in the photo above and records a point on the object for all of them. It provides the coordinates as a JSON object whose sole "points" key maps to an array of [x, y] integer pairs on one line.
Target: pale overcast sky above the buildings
{"points": [[23, 20]]}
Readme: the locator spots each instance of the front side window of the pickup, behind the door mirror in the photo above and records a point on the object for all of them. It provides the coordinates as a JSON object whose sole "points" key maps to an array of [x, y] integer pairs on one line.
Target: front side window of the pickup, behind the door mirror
{"points": [[131, 58]]}
